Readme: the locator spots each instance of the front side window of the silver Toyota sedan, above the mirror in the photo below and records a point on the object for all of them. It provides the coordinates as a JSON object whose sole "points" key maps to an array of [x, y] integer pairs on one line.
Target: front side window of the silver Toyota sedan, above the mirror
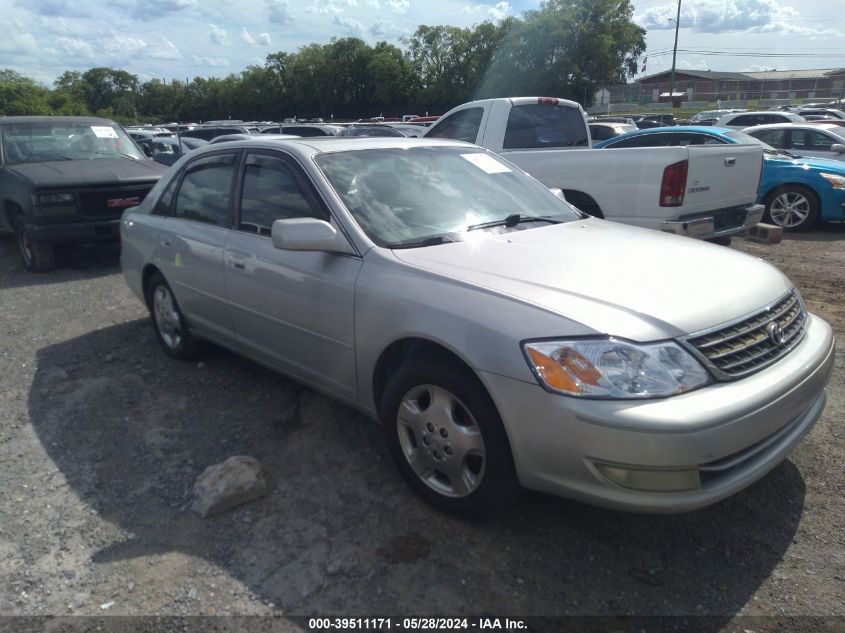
{"points": [[271, 192]]}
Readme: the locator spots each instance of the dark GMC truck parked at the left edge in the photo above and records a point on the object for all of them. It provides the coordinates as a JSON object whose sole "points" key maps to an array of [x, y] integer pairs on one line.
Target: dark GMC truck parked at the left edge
{"points": [[67, 179]]}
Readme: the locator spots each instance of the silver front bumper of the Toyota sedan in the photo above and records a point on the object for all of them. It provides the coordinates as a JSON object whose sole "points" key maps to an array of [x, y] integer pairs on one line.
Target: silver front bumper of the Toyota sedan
{"points": [[731, 433]]}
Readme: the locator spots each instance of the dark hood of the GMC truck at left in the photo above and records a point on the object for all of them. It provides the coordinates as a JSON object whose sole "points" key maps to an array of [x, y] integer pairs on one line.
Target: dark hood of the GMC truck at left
{"points": [[84, 173]]}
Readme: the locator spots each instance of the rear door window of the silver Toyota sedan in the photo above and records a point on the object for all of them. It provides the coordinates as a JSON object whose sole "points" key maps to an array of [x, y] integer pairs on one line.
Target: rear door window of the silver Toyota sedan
{"points": [[206, 190]]}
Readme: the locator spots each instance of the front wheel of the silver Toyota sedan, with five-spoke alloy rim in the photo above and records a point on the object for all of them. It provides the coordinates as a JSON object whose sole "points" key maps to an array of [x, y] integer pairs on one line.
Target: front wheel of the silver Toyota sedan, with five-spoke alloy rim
{"points": [[447, 439]]}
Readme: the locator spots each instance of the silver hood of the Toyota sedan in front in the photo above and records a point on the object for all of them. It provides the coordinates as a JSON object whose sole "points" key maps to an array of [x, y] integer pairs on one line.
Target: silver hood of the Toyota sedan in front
{"points": [[615, 279]]}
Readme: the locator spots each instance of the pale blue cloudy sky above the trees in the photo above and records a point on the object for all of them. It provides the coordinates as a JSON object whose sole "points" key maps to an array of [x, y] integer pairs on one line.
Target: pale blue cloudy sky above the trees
{"points": [[182, 39]]}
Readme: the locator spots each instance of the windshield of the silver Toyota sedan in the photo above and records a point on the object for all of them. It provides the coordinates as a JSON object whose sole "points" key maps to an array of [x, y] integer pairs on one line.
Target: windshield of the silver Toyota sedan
{"points": [[429, 195]]}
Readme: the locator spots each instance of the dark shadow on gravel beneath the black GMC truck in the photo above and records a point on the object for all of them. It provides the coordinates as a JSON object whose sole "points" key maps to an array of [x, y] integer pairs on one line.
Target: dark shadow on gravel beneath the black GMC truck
{"points": [[73, 261]]}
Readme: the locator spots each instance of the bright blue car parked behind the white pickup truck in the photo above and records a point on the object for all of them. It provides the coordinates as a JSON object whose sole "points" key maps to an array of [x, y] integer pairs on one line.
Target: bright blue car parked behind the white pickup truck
{"points": [[797, 191]]}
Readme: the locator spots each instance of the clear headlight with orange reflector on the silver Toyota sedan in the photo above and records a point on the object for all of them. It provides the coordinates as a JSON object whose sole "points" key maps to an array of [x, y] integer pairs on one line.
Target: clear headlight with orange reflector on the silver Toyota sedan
{"points": [[610, 368]]}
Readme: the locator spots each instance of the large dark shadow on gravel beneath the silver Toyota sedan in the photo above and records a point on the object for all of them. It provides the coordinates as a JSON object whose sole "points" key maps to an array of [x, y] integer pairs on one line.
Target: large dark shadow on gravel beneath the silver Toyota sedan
{"points": [[339, 532]]}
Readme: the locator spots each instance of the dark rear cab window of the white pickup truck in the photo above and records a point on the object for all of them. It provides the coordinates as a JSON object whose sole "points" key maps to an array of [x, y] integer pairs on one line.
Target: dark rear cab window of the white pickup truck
{"points": [[541, 125]]}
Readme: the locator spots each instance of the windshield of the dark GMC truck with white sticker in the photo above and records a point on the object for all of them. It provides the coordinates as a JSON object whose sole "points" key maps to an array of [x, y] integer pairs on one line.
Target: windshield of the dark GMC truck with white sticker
{"points": [[36, 142]]}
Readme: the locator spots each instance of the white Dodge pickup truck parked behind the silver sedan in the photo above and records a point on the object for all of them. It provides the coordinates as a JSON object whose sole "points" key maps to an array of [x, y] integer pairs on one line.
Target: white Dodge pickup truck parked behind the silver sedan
{"points": [[704, 191]]}
